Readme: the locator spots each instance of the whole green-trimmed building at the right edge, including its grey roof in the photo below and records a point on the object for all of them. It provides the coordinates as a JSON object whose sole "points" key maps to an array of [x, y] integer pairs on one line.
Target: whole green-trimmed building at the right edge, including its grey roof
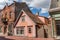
{"points": [[55, 19]]}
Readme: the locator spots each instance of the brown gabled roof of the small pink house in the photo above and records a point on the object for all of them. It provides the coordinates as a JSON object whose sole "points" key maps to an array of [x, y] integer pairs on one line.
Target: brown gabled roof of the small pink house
{"points": [[32, 16]]}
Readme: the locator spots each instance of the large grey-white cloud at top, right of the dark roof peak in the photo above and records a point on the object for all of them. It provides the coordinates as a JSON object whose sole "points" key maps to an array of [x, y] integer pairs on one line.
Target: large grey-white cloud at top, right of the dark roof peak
{"points": [[38, 3]]}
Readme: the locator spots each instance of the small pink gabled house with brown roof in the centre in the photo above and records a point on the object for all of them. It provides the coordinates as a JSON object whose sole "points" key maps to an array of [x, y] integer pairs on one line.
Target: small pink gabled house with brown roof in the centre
{"points": [[30, 25]]}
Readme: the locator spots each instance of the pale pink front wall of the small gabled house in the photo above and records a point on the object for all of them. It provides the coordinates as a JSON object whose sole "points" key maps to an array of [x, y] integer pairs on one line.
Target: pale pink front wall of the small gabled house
{"points": [[27, 22]]}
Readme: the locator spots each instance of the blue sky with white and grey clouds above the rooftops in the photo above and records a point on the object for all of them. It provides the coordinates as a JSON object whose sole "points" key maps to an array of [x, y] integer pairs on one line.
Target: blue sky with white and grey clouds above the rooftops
{"points": [[40, 6]]}
